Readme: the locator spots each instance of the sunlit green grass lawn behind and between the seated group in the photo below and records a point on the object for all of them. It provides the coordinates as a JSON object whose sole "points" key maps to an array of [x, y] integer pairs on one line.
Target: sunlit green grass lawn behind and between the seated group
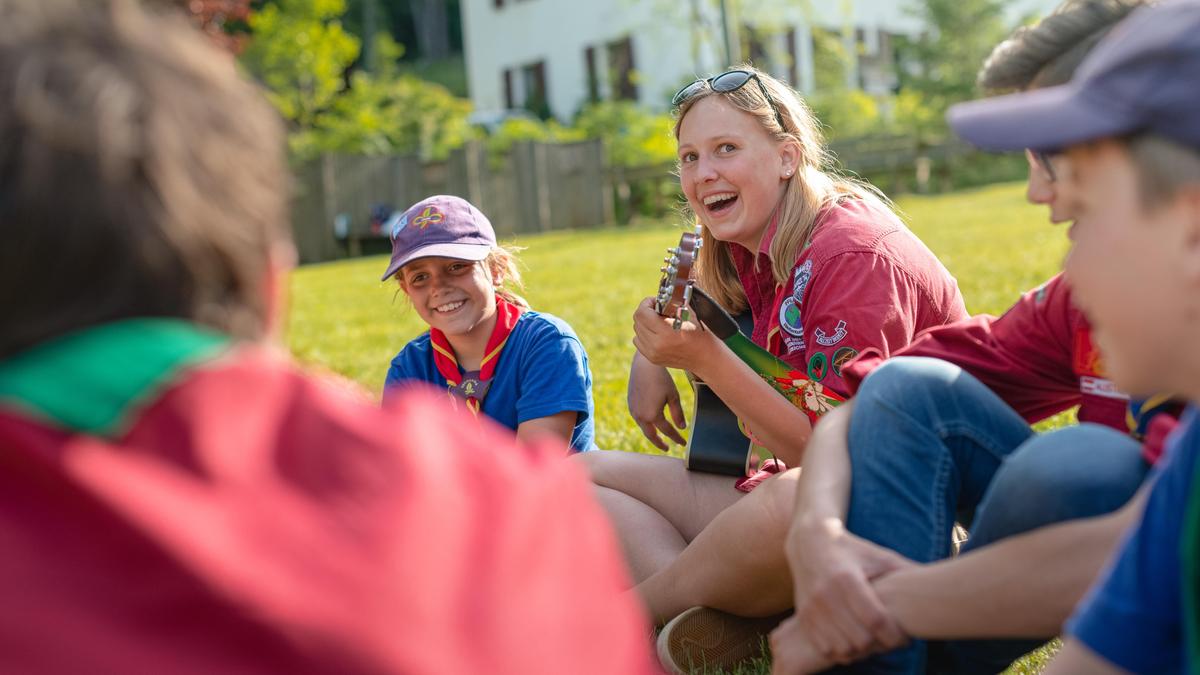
{"points": [[344, 319]]}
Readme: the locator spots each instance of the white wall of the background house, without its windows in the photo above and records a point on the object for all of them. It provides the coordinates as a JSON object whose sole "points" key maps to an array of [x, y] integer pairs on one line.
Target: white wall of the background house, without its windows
{"points": [[668, 52]]}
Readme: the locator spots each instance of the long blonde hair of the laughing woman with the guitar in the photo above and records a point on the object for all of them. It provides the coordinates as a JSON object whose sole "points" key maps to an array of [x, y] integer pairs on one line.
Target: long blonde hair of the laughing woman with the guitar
{"points": [[812, 189]]}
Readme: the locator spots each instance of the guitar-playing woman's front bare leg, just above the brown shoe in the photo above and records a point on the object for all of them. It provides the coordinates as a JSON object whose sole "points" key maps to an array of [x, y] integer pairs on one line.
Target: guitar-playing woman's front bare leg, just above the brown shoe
{"points": [[737, 564]]}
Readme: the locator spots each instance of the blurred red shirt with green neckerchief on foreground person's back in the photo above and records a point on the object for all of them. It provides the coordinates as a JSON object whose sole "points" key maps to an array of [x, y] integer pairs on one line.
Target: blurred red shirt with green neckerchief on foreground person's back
{"points": [[172, 505]]}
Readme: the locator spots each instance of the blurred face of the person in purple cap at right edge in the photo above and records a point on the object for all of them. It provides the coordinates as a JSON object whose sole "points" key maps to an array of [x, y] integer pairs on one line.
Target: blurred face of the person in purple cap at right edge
{"points": [[1133, 271]]}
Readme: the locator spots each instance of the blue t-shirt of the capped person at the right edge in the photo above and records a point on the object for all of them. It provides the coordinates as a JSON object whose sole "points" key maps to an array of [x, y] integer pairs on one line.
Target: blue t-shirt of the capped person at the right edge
{"points": [[1133, 617]]}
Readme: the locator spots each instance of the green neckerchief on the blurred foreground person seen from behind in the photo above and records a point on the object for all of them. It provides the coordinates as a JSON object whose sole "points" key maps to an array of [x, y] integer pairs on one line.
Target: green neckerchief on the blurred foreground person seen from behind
{"points": [[93, 380]]}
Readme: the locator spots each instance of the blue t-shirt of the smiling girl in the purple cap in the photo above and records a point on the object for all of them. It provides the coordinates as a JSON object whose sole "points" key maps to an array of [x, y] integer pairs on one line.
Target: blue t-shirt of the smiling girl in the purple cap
{"points": [[543, 372]]}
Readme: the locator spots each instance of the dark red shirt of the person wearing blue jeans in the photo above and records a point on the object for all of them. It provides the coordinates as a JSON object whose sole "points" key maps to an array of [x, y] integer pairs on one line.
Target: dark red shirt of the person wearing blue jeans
{"points": [[1039, 357]]}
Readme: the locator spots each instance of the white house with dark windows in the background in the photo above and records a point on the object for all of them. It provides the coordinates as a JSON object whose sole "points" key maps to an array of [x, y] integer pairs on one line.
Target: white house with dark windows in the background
{"points": [[556, 56]]}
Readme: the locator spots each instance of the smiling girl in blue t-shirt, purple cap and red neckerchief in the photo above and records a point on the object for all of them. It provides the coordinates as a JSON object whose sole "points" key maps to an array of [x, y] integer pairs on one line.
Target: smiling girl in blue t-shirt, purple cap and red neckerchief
{"points": [[524, 369]]}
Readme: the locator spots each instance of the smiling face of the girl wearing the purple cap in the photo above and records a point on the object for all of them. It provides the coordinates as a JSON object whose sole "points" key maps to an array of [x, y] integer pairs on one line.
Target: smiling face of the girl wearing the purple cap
{"points": [[454, 296]]}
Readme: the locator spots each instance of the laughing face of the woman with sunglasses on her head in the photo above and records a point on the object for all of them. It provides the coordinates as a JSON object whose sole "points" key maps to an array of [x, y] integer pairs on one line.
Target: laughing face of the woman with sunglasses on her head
{"points": [[731, 171]]}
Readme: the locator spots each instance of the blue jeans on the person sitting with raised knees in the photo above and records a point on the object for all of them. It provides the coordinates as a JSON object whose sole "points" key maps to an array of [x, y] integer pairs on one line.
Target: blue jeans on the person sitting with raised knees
{"points": [[931, 445]]}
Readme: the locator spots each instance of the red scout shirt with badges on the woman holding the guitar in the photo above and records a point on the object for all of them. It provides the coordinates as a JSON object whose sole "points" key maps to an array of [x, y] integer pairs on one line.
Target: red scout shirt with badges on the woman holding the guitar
{"points": [[865, 282]]}
